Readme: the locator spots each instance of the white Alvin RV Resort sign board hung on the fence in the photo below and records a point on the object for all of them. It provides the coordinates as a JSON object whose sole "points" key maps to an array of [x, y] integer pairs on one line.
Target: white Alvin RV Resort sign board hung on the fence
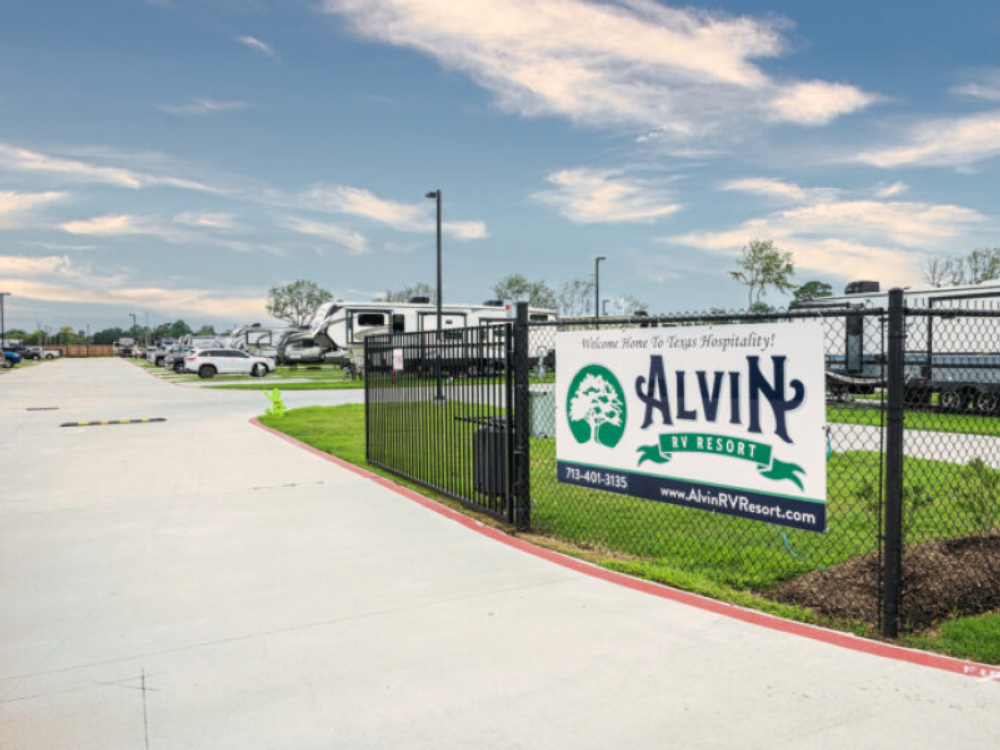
{"points": [[728, 419]]}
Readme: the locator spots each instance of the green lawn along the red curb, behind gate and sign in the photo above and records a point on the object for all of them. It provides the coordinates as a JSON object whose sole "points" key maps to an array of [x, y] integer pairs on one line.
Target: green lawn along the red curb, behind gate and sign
{"points": [[728, 558]]}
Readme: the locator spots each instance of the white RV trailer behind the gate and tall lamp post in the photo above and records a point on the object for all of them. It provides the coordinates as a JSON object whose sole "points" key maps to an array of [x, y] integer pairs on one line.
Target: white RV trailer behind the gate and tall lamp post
{"points": [[340, 328]]}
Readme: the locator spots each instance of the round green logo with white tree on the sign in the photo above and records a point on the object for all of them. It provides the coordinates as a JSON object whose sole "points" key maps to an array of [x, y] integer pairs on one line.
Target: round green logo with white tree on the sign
{"points": [[596, 407]]}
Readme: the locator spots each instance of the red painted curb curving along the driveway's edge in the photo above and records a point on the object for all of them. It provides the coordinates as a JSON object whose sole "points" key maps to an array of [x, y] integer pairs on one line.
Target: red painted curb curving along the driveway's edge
{"points": [[804, 630]]}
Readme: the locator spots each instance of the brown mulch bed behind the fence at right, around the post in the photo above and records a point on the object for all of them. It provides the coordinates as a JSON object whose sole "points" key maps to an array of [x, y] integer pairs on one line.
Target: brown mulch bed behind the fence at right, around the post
{"points": [[940, 579]]}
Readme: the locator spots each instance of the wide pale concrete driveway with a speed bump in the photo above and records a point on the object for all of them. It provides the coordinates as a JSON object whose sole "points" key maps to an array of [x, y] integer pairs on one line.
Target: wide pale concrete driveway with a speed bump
{"points": [[200, 583]]}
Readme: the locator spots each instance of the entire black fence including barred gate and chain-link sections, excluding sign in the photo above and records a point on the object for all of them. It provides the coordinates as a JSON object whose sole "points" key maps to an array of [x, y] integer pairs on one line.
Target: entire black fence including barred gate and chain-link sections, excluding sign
{"points": [[913, 452]]}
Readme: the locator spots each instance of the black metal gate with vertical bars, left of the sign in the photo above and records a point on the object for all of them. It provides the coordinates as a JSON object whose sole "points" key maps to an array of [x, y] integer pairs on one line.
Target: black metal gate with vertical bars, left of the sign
{"points": [[438, 412]]}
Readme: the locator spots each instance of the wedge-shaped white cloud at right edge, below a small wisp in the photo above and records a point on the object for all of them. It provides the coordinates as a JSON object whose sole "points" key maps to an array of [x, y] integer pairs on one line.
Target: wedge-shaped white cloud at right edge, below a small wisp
{"points": [[946, 142]]}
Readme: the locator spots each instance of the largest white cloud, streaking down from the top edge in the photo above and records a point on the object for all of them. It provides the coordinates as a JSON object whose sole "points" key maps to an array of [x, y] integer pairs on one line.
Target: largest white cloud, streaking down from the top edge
{"points": [[678, 71]]}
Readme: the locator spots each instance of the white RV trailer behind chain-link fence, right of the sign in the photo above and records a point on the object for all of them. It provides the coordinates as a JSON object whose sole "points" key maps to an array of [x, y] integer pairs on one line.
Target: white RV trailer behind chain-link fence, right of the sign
{"points": [[953, 355]]}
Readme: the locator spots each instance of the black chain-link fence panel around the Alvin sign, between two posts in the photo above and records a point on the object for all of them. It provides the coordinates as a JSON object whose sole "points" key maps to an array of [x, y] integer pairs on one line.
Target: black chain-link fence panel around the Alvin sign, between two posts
{"points": [[701, 548]]}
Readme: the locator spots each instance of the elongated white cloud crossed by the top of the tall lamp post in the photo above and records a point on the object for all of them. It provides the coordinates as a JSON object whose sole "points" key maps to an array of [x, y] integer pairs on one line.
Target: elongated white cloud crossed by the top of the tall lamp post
{"points": [[403, 217]]}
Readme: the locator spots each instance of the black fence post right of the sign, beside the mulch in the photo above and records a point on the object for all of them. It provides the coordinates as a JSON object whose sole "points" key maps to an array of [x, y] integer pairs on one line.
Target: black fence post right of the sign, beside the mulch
{"points": [[892, 570]]}
